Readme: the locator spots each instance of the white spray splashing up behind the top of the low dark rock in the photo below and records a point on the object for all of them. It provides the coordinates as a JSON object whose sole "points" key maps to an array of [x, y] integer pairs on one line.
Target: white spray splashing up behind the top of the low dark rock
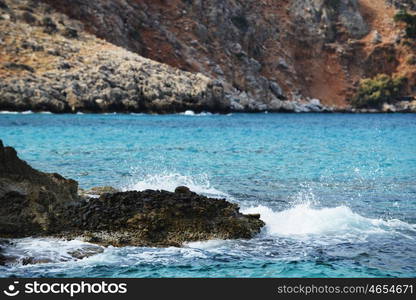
{"points": [[170, 181]]}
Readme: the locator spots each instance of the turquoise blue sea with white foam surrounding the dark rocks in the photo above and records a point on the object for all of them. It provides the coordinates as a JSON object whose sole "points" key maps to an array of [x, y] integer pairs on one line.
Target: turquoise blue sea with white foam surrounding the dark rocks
{"points": [[337, 191]]}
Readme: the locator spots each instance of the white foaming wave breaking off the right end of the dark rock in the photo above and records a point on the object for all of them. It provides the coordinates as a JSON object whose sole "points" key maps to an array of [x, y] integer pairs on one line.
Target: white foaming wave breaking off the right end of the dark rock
{"points": [[304, 220]]}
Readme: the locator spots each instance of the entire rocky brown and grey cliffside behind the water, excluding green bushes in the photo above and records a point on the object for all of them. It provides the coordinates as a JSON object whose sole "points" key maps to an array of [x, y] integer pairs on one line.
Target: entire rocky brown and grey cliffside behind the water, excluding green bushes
{"points": [[254, 55]]}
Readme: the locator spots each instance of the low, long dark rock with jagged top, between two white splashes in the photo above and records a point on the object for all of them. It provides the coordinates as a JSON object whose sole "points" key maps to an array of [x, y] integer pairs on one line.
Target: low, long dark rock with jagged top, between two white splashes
{"points": [[158, 218]]}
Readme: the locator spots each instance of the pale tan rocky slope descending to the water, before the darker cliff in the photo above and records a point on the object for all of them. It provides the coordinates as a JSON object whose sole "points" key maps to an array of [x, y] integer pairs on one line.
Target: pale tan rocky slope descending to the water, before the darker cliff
{"points": [[48, 63]]}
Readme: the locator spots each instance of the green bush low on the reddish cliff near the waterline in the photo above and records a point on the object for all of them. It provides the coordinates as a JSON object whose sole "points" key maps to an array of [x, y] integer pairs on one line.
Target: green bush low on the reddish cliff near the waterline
{"points": [[373, 92]]}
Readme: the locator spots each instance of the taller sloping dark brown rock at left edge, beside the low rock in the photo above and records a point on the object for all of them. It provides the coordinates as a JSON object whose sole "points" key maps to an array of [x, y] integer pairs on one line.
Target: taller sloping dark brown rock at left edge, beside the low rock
{"points": [[29, 198]]}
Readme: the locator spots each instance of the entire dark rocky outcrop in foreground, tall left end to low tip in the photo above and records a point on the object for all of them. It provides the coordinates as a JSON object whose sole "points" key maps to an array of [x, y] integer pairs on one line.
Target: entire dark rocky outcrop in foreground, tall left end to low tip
{"points": [[40, 204]]}
